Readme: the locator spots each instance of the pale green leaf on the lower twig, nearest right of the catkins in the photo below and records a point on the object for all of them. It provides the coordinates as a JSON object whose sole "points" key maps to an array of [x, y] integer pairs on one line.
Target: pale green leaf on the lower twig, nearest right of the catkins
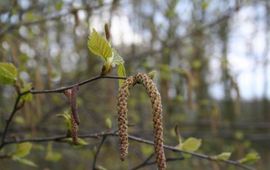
{"points": [[190, 145]]}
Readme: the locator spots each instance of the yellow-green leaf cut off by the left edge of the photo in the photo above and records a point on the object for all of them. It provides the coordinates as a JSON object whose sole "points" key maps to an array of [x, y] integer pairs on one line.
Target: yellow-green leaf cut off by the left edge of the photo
{"points": [[8, 73]]}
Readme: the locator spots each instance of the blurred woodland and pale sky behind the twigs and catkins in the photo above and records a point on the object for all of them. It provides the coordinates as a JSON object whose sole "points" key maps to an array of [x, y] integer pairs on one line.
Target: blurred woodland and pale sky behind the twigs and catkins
{"points": [[212, 63]]}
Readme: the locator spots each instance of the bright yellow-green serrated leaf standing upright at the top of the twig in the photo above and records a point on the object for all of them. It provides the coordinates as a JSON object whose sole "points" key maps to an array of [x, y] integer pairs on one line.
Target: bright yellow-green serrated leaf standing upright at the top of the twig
{"points": [[99, 46]]}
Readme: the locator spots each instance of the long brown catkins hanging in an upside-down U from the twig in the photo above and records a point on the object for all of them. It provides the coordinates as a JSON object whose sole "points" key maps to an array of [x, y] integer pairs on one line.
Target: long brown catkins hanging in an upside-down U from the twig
{"points": [[154, 95]]}
